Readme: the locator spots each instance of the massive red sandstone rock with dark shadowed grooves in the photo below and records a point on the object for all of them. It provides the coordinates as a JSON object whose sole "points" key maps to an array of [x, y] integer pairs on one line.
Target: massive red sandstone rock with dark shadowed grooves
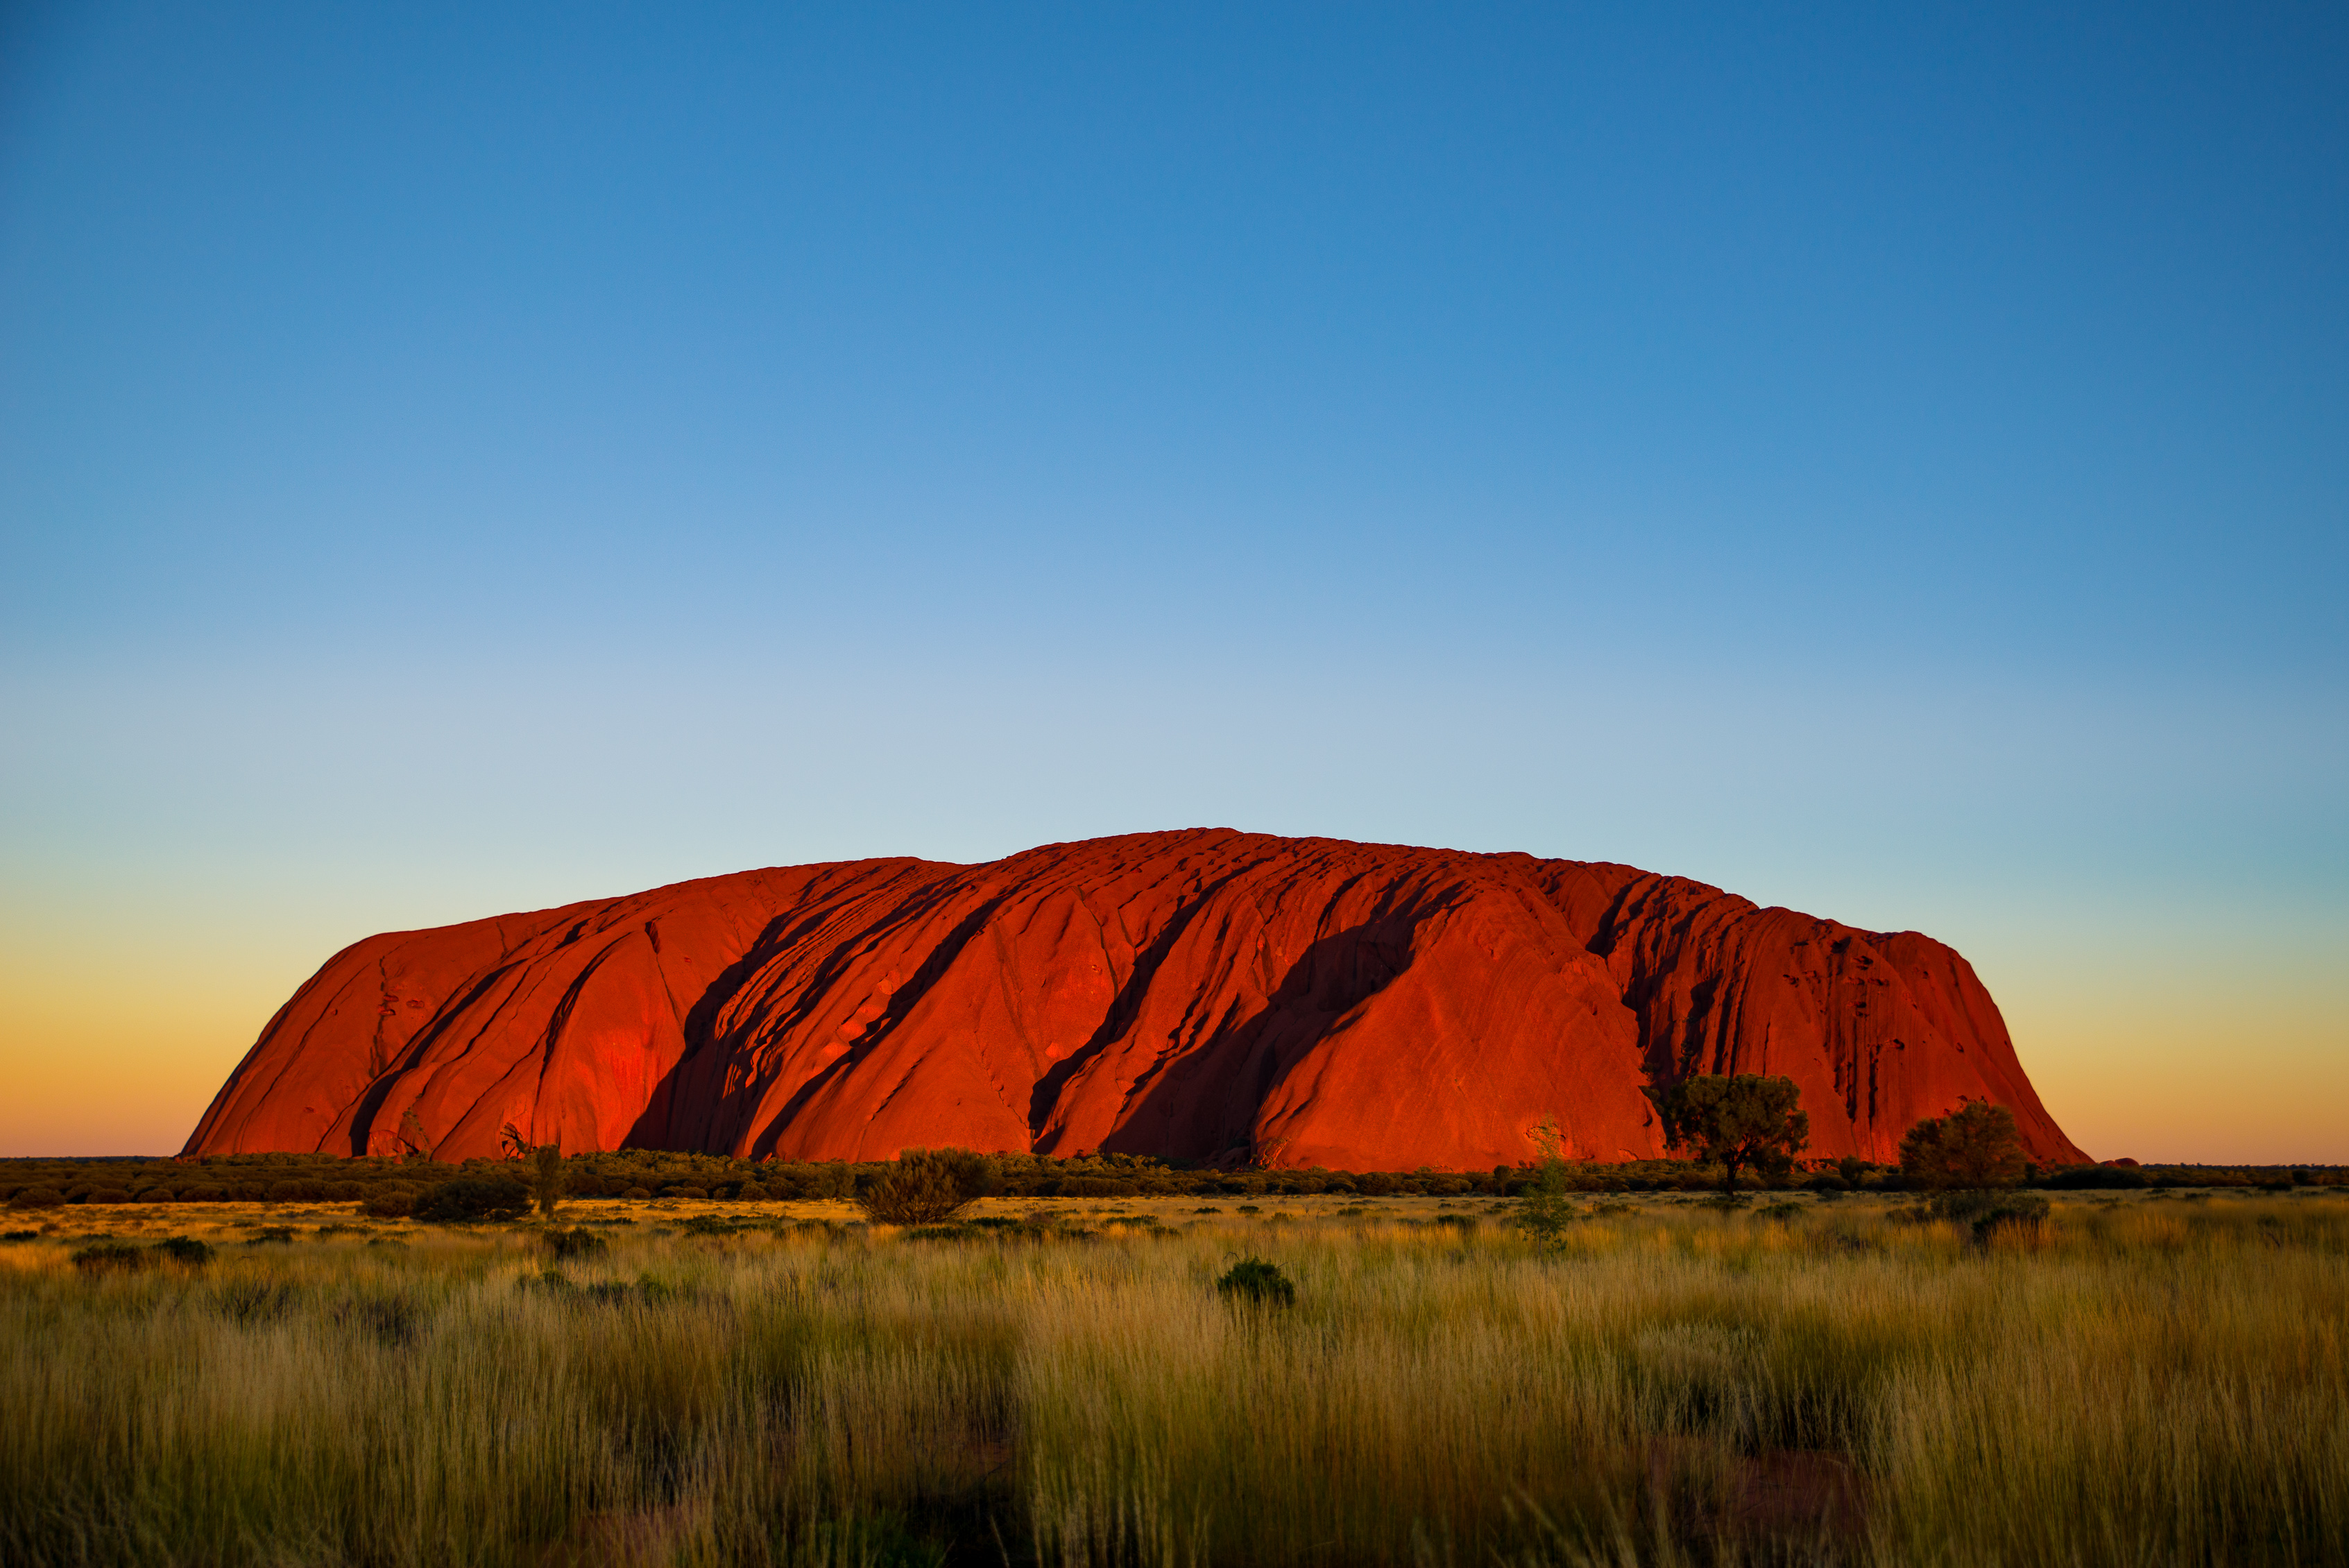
{"points": [[1206, 993]]}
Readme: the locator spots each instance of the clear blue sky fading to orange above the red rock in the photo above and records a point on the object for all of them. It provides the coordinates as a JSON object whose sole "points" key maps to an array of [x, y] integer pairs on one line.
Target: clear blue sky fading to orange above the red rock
{"points": [[1890, 462]]}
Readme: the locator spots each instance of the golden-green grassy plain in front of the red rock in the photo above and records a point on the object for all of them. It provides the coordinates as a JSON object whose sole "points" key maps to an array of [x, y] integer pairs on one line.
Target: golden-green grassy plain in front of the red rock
{"points": [[2146, 1379]]}
